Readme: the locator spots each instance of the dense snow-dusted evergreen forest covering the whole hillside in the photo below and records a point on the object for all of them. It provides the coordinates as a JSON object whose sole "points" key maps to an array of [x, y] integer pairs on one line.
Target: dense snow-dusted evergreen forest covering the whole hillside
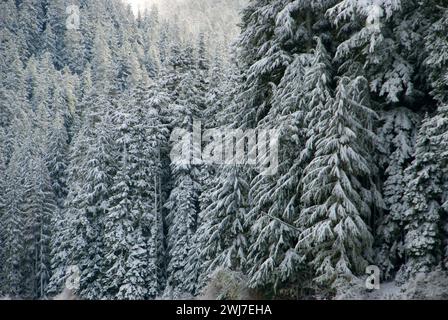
{"points": [[90, 94]]}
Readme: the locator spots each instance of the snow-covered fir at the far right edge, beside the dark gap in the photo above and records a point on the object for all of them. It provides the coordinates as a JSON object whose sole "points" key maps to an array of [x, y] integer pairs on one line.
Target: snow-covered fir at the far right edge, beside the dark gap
{"points": [[423, 197]]}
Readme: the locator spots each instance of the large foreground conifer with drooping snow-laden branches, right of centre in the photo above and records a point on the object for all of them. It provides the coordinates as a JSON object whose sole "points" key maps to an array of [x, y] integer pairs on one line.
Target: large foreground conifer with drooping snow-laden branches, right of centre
{"points": [[337, 203]]}
